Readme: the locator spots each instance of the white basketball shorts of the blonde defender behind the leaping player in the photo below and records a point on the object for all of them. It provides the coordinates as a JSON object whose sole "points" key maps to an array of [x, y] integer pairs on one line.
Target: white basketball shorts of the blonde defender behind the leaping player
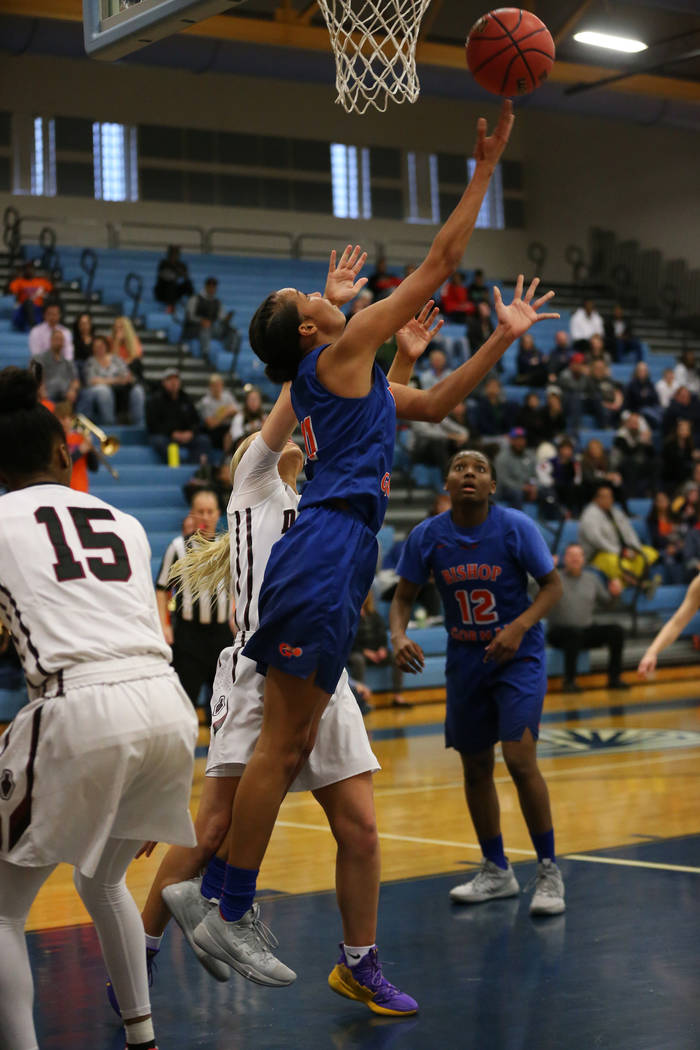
{"points": [[343, 747]]}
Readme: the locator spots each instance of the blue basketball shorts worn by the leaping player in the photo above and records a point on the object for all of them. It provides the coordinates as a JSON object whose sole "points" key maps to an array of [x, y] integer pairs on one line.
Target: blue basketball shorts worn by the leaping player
{"points": [[315, 582]]}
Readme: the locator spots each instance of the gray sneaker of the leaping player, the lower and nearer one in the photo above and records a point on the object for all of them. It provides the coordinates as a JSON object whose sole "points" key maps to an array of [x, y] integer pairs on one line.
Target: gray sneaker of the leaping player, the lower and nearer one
{"points": [[245, 946]]}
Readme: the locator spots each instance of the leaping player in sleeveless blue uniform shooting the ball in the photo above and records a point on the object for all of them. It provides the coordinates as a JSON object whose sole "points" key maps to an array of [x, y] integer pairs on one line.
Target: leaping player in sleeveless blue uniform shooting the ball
{"points": [[320, 573]]}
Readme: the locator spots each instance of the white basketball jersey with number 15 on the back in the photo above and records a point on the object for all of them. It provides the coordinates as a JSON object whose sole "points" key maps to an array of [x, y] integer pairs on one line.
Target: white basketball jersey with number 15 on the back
{"points": [[75, 581]]}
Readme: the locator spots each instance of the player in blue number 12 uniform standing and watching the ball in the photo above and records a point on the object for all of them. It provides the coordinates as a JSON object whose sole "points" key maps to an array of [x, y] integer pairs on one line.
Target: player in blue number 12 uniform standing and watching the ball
{"points": [[481, 556]]}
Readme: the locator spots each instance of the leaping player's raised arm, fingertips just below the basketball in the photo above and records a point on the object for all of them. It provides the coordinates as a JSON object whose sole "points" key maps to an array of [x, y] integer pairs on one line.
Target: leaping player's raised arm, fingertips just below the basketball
{"points": [[373, 327]]}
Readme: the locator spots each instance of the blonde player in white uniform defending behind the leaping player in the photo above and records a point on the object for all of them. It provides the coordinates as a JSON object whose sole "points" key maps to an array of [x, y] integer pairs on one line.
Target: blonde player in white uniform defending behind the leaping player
{"points": [[338, 769]]}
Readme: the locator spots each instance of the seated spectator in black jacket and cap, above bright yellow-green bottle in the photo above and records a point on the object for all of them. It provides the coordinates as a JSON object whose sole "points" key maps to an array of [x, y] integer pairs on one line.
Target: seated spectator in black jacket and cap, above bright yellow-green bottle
{"points": [[173, 418]]}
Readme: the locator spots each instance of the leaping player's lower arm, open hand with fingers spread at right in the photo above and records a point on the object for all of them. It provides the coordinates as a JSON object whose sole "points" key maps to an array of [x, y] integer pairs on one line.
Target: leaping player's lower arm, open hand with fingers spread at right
{"points": [[515, 320]]}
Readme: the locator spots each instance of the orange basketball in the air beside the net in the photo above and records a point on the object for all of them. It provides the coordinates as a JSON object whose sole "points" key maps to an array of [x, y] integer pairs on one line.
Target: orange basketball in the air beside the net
{"points": [[511, 52]]}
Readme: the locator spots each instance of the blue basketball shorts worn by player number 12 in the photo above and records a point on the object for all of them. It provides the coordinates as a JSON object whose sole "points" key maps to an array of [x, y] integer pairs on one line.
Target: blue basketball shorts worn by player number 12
{"points": [[487, 703]]}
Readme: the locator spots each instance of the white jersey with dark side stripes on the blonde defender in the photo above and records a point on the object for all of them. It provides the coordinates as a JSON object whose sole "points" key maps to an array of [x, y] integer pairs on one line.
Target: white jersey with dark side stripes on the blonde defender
{"points": [[262, 509]]}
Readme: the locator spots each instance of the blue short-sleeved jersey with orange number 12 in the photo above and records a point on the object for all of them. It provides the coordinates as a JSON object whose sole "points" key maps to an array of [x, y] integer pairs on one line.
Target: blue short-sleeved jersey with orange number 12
{"points": [[481, 573]]}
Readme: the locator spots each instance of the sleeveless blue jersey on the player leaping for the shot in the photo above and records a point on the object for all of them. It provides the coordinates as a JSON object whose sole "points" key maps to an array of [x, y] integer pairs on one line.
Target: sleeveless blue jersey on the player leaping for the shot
{"points": [[350, 443]]}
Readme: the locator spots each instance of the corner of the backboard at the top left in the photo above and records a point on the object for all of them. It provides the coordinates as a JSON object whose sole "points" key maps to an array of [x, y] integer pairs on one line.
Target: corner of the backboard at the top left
{"points": [[114, 29]]}
